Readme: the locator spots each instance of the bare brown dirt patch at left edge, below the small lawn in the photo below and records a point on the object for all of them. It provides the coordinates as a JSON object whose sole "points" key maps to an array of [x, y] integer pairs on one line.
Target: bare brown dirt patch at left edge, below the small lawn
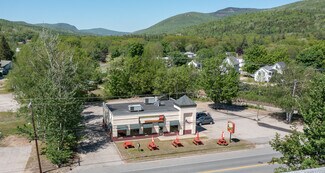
{"points": [[14, 141]]}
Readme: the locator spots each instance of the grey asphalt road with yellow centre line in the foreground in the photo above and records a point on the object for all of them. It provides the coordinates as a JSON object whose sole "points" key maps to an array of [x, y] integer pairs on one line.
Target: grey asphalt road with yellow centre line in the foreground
{"points": [[249, 161]]}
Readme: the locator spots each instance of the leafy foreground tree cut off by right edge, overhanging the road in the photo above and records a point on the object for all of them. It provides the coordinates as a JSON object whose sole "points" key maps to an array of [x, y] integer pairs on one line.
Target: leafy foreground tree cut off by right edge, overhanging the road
{"points": [[303, 150]]}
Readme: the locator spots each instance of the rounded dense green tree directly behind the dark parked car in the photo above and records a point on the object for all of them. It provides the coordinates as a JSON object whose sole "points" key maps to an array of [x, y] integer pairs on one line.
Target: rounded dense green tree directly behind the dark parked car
{"points": [[220, 82]]}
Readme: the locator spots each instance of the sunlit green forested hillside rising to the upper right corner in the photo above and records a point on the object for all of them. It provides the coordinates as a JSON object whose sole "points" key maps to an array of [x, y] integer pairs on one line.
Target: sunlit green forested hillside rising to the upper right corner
{"points": [[305, 17]]}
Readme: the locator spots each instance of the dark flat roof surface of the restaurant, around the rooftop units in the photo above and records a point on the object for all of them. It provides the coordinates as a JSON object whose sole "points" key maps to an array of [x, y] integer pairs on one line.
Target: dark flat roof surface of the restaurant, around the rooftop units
{"points": [[122, 109]]}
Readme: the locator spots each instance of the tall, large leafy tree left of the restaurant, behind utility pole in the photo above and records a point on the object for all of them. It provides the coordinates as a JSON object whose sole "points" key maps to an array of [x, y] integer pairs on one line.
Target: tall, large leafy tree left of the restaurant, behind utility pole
{"points": [[49, 75]]}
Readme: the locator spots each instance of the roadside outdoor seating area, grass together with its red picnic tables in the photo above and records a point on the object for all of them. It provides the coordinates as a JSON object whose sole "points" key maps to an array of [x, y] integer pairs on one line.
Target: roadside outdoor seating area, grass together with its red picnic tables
{"points": [[146, 149]]}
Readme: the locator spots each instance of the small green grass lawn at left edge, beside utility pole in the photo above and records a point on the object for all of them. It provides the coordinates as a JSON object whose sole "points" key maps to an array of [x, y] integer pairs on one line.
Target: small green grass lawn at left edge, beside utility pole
{"points": [[9, 122]]}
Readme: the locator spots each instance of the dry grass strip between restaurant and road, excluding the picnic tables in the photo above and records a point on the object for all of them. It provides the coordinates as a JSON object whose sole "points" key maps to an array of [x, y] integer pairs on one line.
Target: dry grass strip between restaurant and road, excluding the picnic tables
{"points": [[167, 150]]}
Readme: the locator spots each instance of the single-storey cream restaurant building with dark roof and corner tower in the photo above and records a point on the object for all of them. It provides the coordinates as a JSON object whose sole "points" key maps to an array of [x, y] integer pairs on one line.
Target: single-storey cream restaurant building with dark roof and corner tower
{"points": [[152, 117]]}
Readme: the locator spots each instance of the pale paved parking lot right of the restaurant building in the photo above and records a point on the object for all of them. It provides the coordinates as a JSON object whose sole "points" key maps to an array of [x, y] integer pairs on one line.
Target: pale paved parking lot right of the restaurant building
{"points": [[258, 132]]}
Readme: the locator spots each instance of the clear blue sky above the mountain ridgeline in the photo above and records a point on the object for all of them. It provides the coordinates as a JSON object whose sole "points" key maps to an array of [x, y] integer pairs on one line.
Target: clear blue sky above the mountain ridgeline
{"points": [[120, 15]]}
